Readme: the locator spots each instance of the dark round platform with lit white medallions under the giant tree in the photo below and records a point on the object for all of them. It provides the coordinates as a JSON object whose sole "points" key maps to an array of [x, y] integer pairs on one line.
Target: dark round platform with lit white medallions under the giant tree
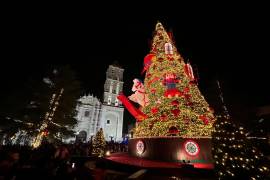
{"points": [[172, 149]]}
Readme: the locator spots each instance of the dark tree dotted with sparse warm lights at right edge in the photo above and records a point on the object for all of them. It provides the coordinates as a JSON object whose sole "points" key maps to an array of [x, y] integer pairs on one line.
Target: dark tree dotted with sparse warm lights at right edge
{"points": [[235, 156]]}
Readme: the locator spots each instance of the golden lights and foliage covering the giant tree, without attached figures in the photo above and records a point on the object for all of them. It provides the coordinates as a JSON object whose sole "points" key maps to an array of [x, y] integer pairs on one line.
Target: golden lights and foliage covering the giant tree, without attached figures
{"points": [[195, 118]]}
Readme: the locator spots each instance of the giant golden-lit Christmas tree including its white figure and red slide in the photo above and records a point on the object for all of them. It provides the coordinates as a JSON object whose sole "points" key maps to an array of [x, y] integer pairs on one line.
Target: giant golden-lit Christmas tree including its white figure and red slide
{"points": [[171, 103]]}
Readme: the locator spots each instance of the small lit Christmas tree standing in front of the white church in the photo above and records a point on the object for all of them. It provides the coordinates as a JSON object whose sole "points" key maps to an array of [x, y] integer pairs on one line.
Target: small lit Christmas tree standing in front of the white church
{"points": [[99, 144]]}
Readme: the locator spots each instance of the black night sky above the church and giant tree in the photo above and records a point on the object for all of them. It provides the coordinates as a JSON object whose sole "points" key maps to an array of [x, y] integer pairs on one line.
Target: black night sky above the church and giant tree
{"points": [[230, 43]]}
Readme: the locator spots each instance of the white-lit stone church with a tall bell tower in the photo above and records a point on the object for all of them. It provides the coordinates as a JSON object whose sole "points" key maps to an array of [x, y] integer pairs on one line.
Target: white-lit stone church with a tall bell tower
{"points": [[93, 115]]}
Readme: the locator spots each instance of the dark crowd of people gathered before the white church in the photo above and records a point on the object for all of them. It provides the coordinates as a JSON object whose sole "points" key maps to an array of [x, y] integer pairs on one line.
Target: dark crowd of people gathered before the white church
{"points": [[50, 161]]}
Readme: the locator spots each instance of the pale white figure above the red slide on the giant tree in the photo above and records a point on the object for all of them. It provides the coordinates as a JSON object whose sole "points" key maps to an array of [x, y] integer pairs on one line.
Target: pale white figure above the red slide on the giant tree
{"points": [[139, 96]]}
